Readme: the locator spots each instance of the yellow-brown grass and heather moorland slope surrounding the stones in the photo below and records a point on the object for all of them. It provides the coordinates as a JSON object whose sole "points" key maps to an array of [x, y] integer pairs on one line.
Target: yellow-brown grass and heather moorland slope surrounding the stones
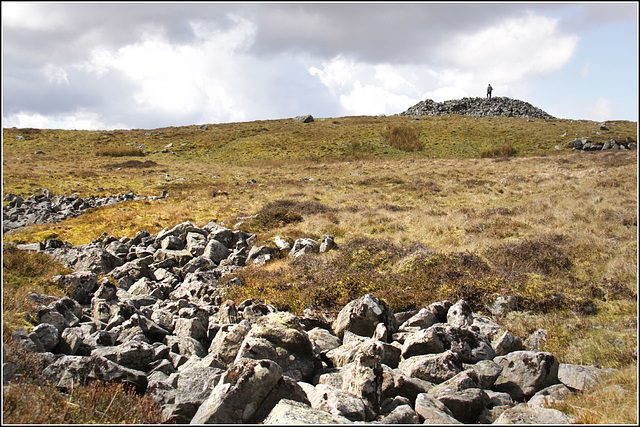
{"points": [[555, 228]]}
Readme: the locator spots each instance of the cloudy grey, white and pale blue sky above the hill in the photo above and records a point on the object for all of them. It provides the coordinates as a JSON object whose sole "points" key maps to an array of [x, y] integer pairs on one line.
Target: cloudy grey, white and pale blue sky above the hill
{"points": [[148, 65]]}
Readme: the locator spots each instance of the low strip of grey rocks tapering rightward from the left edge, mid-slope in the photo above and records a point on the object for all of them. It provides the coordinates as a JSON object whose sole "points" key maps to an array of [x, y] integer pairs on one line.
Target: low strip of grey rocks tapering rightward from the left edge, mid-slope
{"points": [[44, 207]]}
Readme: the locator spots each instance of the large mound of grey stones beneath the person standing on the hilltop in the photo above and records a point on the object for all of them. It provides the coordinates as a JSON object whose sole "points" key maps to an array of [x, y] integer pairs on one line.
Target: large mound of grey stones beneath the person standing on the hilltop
{"points": [[477, 107]]}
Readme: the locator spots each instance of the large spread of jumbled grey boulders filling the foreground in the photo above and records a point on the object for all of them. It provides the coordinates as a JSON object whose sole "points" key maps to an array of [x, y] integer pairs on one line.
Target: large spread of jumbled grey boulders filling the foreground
{"points": [[156, 321]]}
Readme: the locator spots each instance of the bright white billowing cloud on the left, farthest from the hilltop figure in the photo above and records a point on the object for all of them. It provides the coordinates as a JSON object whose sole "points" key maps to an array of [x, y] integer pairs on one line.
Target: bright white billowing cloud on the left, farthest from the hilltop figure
{"points": [[183, 78]]}
